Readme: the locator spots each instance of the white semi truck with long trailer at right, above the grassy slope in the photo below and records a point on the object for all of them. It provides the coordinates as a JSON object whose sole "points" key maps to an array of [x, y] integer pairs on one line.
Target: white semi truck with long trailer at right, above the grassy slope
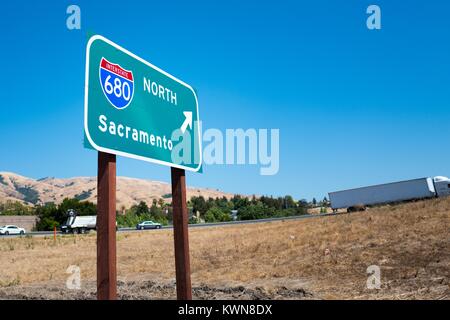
{"points": [[359, 198]]}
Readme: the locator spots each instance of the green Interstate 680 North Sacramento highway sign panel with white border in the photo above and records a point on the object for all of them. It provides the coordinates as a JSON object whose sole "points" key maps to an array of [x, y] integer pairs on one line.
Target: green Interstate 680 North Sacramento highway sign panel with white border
{"points": [[137, 110]]}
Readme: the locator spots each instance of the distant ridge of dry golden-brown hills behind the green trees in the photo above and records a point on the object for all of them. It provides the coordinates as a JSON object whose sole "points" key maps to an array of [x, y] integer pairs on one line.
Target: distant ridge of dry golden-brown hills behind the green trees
{"points": [[130, 191]]}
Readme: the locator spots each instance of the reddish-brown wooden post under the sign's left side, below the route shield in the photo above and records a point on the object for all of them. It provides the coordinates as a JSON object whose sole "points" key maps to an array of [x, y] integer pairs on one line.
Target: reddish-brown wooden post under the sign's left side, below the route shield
{"points": [[106, 227]]}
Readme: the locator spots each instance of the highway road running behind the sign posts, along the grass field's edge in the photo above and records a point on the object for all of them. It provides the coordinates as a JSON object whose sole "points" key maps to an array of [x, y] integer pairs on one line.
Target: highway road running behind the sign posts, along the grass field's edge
{"points": [[200, 225]]}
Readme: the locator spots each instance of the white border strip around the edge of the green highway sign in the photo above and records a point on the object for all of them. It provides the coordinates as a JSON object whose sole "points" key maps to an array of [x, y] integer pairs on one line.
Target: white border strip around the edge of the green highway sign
{"points": [[121, 153]]}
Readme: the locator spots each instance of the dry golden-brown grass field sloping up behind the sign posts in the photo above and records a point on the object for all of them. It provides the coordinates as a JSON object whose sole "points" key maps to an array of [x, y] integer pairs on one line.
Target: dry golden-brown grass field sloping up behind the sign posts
{"points": [[319, 258]]}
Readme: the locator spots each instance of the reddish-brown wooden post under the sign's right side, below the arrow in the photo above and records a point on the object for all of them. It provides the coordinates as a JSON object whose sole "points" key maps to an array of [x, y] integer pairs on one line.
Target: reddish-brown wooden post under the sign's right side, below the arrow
{"points": [[180, 234]]}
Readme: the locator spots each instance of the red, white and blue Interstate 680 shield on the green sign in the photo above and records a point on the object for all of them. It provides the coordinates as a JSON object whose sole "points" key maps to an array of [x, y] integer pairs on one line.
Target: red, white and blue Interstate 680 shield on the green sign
{"points": [[117, 84]]}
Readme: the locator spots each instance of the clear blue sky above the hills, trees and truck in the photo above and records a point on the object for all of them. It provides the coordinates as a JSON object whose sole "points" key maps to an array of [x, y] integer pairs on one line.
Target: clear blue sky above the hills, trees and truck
{"points": [[354, 106]]}
